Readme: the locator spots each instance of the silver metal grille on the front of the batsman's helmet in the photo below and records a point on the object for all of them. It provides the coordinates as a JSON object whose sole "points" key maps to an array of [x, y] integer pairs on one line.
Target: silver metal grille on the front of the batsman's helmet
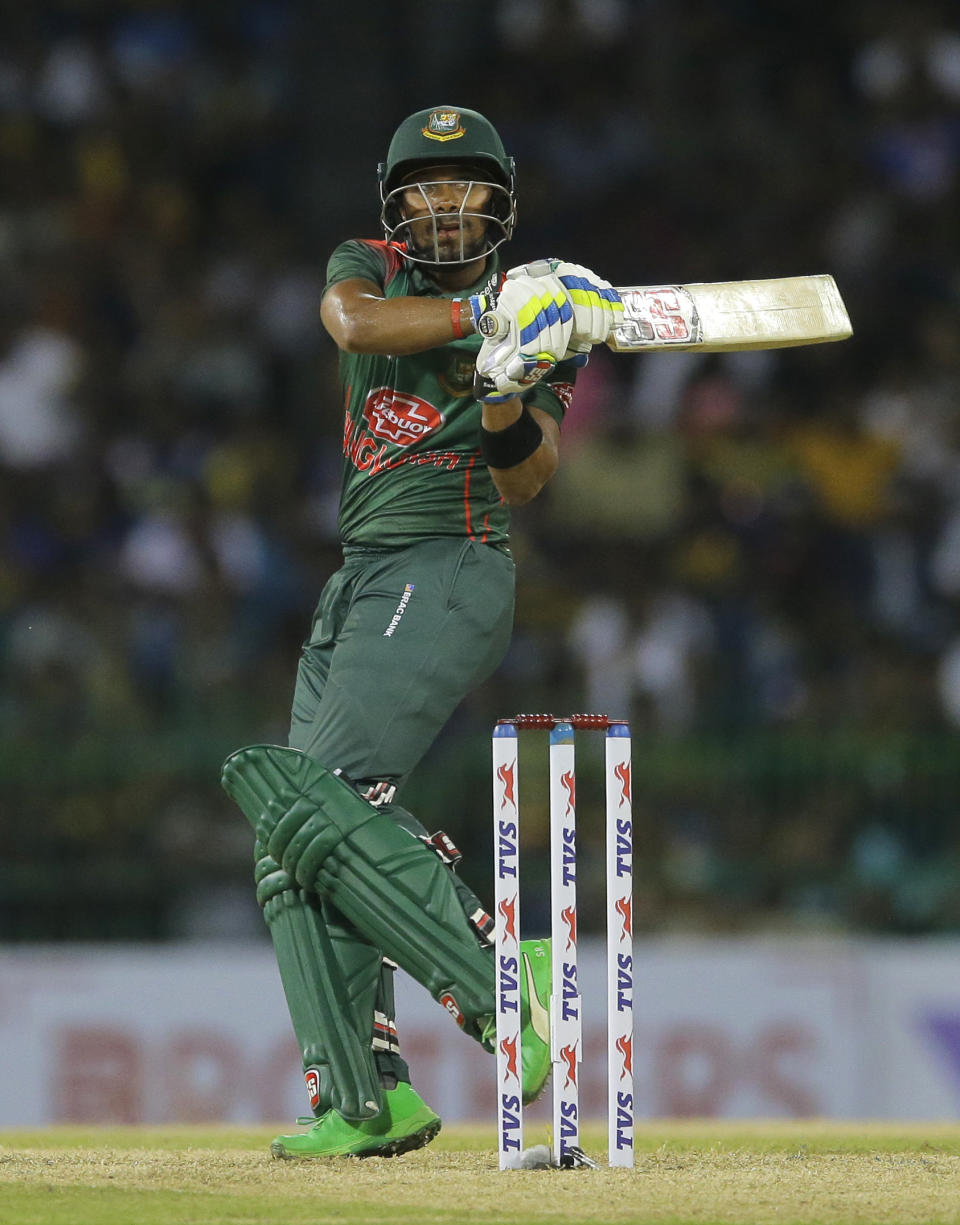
{"points": [[422, 235]]}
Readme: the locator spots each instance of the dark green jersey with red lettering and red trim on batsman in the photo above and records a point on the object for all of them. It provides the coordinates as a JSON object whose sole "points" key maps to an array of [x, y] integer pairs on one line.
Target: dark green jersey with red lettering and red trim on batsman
{"points": [[413, 466]]}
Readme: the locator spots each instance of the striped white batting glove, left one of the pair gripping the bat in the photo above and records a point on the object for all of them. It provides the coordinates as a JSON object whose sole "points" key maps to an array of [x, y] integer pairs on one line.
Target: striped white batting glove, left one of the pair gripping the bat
{"points": [[526, 334]]}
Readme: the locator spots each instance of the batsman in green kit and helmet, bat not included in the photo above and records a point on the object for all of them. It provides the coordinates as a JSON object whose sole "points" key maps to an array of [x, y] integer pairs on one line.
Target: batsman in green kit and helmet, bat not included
{"points": [[456, 378]]}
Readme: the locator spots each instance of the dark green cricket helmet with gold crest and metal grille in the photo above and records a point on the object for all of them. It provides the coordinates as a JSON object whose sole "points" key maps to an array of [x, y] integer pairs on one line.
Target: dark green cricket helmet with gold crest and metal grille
{"points": [[448, 137]]}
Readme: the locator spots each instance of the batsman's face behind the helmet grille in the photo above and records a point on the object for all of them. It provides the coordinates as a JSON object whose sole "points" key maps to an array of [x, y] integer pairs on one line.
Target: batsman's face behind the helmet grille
{"points": [[445, 213]]}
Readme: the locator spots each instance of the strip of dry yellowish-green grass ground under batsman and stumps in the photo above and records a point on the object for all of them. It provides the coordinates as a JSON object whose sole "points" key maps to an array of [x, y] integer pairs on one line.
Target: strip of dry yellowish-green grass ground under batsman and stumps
{"points": [[750, 1174]]}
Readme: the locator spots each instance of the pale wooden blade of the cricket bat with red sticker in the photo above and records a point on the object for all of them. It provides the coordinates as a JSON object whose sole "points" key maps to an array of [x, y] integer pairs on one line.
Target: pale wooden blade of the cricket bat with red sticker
{"points": [[716, 318]]}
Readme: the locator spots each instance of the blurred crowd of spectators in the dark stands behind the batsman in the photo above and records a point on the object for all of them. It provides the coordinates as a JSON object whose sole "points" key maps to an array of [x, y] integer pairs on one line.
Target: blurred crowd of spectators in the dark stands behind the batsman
{"points": [[755, 556]]}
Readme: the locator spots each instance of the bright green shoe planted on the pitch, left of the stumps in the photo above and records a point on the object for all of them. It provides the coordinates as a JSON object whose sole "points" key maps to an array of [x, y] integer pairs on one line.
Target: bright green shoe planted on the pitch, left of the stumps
{"points": [[405, 1124]]}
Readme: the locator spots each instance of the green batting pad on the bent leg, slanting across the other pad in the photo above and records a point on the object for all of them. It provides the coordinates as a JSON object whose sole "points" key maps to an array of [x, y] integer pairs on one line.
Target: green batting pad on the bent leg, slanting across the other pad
{"points": [[388, 883]]}
